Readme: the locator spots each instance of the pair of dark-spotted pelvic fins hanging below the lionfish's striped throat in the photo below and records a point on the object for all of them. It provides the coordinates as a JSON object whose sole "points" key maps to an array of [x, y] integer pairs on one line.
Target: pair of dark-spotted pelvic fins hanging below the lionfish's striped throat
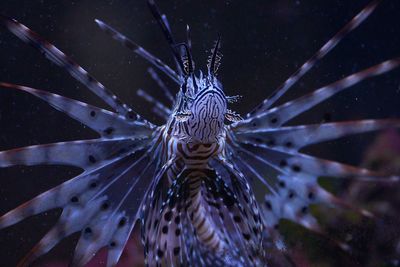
{"points": [[170, 234]]}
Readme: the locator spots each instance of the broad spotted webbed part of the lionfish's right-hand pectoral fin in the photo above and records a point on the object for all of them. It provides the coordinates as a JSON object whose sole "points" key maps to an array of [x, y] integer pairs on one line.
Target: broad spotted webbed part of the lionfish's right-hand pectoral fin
{"points": [[296, 186]]}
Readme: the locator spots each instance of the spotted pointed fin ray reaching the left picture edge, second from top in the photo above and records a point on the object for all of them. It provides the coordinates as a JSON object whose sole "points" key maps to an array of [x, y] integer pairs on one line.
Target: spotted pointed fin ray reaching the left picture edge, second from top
{"points": [[107, 124]]}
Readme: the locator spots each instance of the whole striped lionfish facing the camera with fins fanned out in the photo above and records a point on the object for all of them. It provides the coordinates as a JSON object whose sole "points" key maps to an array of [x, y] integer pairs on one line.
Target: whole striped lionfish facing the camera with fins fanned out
{"points": [[188, 182]]}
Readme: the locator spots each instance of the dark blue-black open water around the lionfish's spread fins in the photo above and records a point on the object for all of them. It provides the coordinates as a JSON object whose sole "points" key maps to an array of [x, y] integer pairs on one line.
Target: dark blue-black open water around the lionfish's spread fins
{"points": [[263, 43]]}
